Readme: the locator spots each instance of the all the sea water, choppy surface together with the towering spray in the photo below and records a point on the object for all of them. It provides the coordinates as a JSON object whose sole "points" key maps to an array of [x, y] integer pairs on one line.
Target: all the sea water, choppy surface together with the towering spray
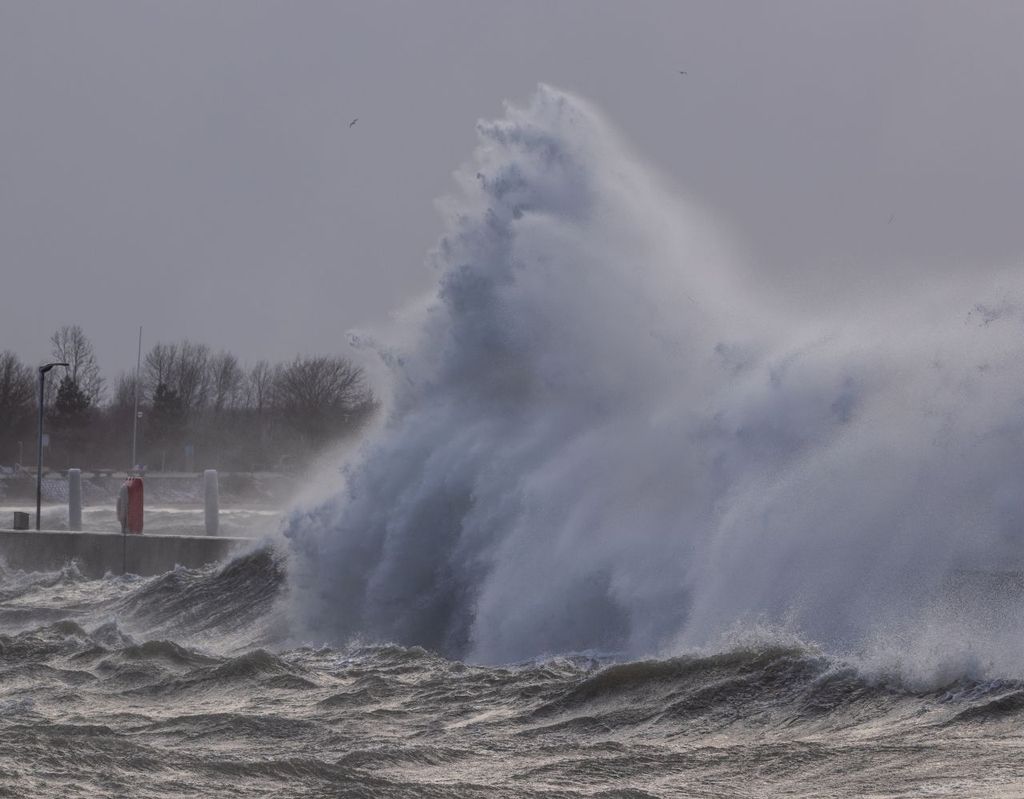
{"points": [[627, 525]]}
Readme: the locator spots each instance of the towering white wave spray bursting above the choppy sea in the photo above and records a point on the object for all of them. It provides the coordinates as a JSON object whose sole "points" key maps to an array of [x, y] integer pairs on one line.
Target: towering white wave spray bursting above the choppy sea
{"points": [[598, 442]]}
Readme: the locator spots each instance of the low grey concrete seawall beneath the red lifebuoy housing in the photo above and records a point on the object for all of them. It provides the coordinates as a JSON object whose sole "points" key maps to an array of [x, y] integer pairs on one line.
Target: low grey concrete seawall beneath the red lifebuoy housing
{"points": [[99, 554]]}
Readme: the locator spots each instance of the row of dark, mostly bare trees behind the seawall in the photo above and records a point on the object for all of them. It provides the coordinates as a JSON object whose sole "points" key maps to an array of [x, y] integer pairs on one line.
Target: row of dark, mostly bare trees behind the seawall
{"points": [[197, 409]]}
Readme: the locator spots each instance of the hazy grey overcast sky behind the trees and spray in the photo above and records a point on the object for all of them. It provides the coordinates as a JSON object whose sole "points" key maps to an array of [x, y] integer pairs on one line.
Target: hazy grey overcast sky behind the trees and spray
{"points": [[190, 166]]}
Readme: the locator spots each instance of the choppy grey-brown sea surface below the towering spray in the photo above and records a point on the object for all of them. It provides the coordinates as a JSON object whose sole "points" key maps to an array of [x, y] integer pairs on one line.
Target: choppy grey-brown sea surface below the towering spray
{"points": [[184, 685]]}
